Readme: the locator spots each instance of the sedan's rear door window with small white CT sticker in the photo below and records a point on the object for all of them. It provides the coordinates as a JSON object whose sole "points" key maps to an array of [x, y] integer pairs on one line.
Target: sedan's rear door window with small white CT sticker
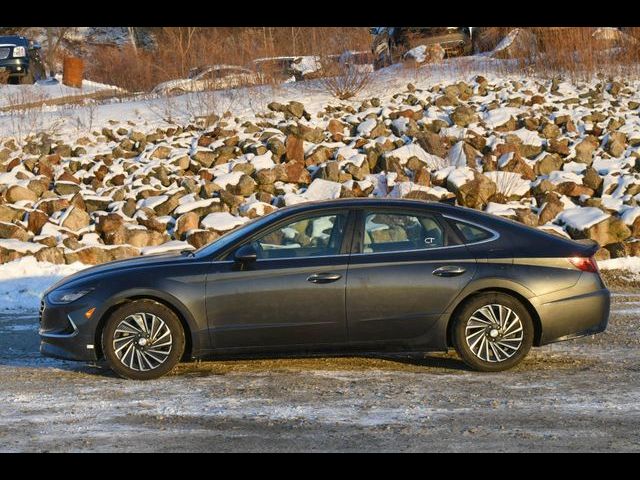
{"points": [[393, 232]]}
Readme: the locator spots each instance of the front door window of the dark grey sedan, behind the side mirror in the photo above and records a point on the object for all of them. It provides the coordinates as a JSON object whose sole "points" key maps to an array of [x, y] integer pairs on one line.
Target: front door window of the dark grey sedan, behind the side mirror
{"points": [[307, 237]]}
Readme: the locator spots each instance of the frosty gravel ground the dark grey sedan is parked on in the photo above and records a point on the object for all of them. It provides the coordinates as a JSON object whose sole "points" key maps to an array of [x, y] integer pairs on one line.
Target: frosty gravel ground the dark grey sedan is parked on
{"points": [[582, 395]]}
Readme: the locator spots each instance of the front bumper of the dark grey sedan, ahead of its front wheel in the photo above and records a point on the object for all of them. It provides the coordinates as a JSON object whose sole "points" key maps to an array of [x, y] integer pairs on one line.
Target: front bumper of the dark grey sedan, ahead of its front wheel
{"points": [[66, 333]]}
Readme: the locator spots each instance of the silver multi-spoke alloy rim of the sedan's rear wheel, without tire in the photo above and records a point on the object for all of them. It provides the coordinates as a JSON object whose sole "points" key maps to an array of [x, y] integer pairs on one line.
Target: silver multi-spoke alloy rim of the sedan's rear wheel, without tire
{"points": [[494, 333]]}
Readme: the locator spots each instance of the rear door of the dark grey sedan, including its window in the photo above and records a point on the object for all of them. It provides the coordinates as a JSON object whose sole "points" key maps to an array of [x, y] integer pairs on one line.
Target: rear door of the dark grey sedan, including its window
{"points": [[407, 268]]}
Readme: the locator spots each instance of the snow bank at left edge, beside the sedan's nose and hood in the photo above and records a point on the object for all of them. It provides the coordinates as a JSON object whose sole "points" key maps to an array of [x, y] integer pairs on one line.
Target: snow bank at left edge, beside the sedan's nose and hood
{"points": [[23, 281]]}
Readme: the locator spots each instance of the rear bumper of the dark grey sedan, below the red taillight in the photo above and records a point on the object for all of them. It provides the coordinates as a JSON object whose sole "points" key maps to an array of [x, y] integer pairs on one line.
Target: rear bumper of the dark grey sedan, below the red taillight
{"points": [[581, 310]]}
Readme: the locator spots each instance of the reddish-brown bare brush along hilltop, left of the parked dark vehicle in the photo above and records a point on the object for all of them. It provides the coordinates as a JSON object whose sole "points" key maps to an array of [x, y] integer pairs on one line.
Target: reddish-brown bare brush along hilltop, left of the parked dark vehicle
{"points": [[179, 49]]}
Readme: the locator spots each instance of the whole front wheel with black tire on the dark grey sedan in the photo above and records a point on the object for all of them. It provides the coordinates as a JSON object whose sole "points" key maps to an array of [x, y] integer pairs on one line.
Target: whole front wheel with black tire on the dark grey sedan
{"points": [[127, 365]]}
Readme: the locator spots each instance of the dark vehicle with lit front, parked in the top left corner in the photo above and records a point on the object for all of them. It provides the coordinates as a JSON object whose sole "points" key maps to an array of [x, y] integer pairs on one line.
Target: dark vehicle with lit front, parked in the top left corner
{"points": [[20, 60]]}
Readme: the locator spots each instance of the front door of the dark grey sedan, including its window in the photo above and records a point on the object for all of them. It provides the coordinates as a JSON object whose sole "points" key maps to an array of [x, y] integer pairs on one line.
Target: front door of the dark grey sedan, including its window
{"points": [[294, 292]]}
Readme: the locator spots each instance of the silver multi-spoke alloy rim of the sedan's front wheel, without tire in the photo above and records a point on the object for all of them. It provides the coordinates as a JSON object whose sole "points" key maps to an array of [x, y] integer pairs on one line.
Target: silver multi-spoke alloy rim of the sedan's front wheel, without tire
{"points": [[142, 341]]}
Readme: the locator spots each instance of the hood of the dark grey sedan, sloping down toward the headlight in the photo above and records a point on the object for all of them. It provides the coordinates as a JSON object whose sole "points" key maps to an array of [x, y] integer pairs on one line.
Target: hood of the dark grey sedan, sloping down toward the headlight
{"points": [[94, 274]]}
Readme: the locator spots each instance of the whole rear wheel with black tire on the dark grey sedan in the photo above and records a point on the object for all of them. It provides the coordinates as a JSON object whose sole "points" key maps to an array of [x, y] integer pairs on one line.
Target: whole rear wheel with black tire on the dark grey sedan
{"points": [[467, 331]]}
